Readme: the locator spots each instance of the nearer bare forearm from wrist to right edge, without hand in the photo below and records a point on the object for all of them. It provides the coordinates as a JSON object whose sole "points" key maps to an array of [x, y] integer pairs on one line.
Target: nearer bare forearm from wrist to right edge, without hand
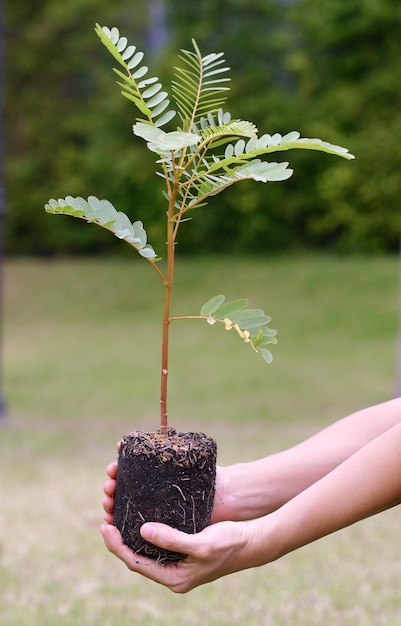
{"points": [[366, 483]]}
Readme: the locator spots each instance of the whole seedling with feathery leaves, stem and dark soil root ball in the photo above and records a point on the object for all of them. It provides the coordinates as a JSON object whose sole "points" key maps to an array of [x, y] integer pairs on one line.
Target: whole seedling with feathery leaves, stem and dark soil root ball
{"points": [[166, 475]]}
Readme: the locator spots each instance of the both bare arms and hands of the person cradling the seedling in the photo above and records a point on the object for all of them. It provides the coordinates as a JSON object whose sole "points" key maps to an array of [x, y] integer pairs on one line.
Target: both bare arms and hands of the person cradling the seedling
{"points": [[344, 474]]}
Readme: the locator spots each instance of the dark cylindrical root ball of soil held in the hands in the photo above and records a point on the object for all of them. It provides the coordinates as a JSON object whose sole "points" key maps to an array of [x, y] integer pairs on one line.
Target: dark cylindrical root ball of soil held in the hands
{"points": [[164, 477]]}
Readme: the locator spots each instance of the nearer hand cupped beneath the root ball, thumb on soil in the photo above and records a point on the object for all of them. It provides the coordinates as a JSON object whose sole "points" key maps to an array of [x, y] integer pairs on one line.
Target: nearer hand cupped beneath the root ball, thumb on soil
{"points": [[218, 550]]}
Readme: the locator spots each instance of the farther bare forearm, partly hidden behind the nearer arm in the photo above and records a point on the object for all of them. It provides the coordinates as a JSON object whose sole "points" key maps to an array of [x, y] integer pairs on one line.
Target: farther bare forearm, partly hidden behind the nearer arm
{"points": [[260, 487]]}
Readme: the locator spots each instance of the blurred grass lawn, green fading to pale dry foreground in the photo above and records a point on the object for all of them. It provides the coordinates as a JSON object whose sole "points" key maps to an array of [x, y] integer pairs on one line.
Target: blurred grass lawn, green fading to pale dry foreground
{"points": [[81, 368]]}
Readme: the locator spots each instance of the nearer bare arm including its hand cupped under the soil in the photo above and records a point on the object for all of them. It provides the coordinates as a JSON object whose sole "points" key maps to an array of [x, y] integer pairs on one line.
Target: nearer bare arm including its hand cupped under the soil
{"points": [[364, 484]]}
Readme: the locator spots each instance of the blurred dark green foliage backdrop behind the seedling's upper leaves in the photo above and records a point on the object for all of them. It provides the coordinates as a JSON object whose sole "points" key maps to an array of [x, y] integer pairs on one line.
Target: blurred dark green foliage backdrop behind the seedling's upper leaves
{"points": [[328, 69]]}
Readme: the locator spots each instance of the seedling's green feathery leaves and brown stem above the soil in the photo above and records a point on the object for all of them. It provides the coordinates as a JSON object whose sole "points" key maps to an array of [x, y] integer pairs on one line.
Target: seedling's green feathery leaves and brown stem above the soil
{"points": [[207, 152]]}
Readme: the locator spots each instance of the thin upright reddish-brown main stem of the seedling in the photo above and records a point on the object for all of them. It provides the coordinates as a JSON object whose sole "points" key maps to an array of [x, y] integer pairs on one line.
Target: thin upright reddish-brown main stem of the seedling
{"points": [[168, 284]]}
